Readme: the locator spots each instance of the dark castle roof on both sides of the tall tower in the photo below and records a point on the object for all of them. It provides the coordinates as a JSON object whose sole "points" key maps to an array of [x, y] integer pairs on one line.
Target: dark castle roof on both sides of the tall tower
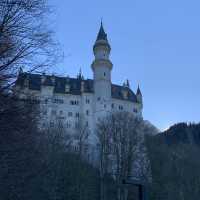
{"points": [[59, 84]]}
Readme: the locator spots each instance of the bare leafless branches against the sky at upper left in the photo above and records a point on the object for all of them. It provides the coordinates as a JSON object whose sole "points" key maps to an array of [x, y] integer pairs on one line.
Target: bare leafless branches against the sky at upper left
{"points": [[25, 39]]}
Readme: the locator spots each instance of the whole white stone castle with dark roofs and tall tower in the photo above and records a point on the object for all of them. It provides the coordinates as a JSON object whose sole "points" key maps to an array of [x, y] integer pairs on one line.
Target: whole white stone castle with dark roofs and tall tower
{"points": [[69, 99]]}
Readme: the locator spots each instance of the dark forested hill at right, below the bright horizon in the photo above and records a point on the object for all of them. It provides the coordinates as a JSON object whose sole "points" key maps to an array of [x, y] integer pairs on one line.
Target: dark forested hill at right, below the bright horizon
{"points": [[182, 133]]}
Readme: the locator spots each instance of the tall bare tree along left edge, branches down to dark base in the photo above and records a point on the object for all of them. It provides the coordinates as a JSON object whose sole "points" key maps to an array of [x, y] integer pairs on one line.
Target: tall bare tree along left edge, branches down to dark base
{"points": [[25, 41]]}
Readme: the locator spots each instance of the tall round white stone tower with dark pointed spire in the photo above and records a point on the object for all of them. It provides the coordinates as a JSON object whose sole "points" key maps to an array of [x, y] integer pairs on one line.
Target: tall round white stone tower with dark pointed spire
{"points": [[102, 68]]}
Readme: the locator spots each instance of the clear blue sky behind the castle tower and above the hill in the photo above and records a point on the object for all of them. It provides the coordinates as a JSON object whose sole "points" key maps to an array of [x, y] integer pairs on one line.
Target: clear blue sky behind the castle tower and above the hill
{"points": [[154, 43]]}
